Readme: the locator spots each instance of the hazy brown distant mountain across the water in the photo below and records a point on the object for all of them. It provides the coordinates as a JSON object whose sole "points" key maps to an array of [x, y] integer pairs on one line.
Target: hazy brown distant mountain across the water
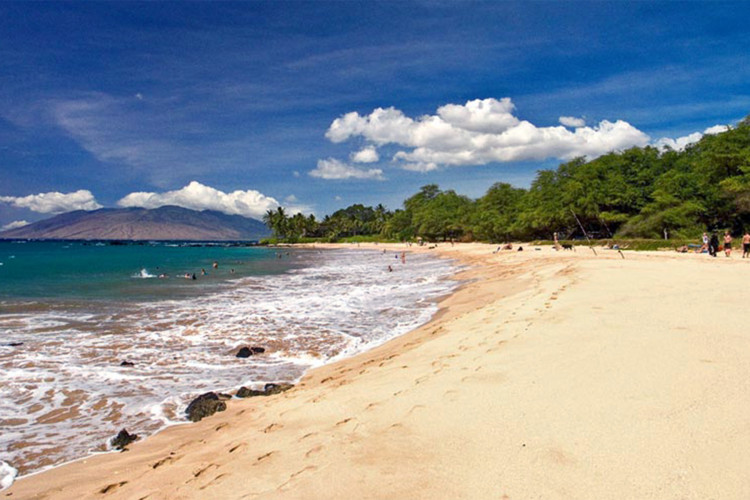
{"points": [[164, 223]]}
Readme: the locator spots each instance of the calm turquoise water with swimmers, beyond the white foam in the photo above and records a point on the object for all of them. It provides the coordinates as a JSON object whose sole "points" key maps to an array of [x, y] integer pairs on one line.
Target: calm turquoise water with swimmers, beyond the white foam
{"points": [[78, 270]]}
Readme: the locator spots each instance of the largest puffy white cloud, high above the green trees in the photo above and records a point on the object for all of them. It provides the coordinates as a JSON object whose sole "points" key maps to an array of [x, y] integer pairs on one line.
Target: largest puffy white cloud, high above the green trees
{"points": [[477, 133]]}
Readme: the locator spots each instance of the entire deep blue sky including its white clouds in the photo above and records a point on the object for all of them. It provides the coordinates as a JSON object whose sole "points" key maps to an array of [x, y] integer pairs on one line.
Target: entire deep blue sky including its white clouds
{"points": [[314, 106]]}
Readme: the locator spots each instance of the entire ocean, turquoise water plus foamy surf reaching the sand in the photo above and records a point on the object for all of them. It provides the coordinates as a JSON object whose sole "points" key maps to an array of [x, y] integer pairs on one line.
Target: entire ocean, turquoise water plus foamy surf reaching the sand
{"points": [[72, 312]]}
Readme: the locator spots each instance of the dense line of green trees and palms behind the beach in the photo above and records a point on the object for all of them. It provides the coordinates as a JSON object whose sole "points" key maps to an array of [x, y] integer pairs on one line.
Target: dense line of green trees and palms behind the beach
{"points": [[636, 193]]}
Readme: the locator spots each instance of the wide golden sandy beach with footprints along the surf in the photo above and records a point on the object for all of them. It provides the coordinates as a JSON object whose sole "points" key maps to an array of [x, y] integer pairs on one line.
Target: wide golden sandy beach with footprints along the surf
{"points": [[547, 375]]}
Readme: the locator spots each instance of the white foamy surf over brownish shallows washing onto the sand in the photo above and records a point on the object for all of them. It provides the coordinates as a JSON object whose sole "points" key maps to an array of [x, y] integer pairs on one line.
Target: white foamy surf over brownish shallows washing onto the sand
{"points": [[68, 394]]}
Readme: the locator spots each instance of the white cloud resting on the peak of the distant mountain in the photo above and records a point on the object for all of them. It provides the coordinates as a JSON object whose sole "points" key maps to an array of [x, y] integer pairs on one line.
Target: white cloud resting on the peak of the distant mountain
{"points": [[196, 196]]}
